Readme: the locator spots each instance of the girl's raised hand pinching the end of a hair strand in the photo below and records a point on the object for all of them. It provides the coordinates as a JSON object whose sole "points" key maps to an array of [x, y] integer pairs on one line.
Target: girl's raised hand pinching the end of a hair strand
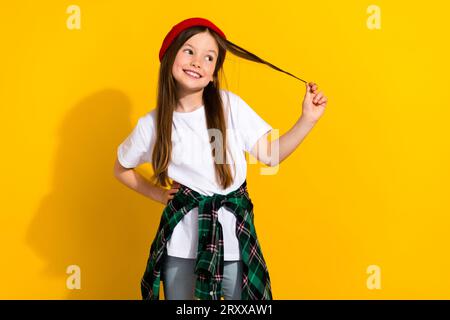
{"points": [[314, 103]]}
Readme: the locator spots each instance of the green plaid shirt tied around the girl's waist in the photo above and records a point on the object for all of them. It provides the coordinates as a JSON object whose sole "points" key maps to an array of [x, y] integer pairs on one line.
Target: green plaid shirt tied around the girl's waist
{"points": [[209, 263]]}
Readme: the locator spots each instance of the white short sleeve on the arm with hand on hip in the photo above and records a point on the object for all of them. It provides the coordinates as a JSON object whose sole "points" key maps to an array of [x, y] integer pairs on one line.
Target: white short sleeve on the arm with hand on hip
{"points": [[137, 148]]}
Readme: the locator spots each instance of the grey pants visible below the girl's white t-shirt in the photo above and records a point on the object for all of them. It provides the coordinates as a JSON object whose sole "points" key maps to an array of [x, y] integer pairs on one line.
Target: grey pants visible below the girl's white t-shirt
{"points": [[179, 278]]}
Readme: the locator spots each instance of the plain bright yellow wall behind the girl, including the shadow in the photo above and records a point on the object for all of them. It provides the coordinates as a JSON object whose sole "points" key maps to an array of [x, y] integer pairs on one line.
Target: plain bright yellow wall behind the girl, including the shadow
{"points": [[368, 186]]}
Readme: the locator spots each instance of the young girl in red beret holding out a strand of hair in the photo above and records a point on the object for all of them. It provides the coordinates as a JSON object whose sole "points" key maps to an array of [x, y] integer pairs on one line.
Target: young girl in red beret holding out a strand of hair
{"points": [[206, 245]]}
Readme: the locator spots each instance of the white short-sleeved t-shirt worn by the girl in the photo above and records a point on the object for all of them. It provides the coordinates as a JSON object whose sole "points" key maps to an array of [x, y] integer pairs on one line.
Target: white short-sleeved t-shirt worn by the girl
{"points": [[192, 164]]}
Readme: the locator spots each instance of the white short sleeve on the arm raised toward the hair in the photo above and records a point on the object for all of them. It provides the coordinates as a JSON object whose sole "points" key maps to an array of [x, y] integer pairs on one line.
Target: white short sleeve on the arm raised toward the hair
{"points": [[250, 125]]}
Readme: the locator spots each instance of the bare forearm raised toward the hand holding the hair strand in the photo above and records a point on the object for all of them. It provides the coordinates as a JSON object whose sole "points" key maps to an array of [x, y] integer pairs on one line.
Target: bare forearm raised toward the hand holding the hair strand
{"points": [[286, 144]]}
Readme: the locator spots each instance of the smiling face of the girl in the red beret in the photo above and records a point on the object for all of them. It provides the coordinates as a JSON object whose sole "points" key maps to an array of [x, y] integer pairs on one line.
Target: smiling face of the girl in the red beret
{"points": [[198, 55]]}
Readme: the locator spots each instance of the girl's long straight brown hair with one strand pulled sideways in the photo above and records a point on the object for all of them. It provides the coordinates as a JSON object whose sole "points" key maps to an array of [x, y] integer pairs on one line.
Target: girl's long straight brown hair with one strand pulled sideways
{"points": [[214, 110]]}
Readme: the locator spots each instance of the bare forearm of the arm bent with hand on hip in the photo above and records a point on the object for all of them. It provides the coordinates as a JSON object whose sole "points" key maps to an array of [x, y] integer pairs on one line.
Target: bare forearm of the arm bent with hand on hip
{"points": [[135, 181]]}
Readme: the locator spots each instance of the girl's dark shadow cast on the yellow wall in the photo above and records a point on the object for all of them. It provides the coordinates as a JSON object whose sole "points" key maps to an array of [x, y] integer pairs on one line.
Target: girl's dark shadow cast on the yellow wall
{"points": [[90, 219]]}
